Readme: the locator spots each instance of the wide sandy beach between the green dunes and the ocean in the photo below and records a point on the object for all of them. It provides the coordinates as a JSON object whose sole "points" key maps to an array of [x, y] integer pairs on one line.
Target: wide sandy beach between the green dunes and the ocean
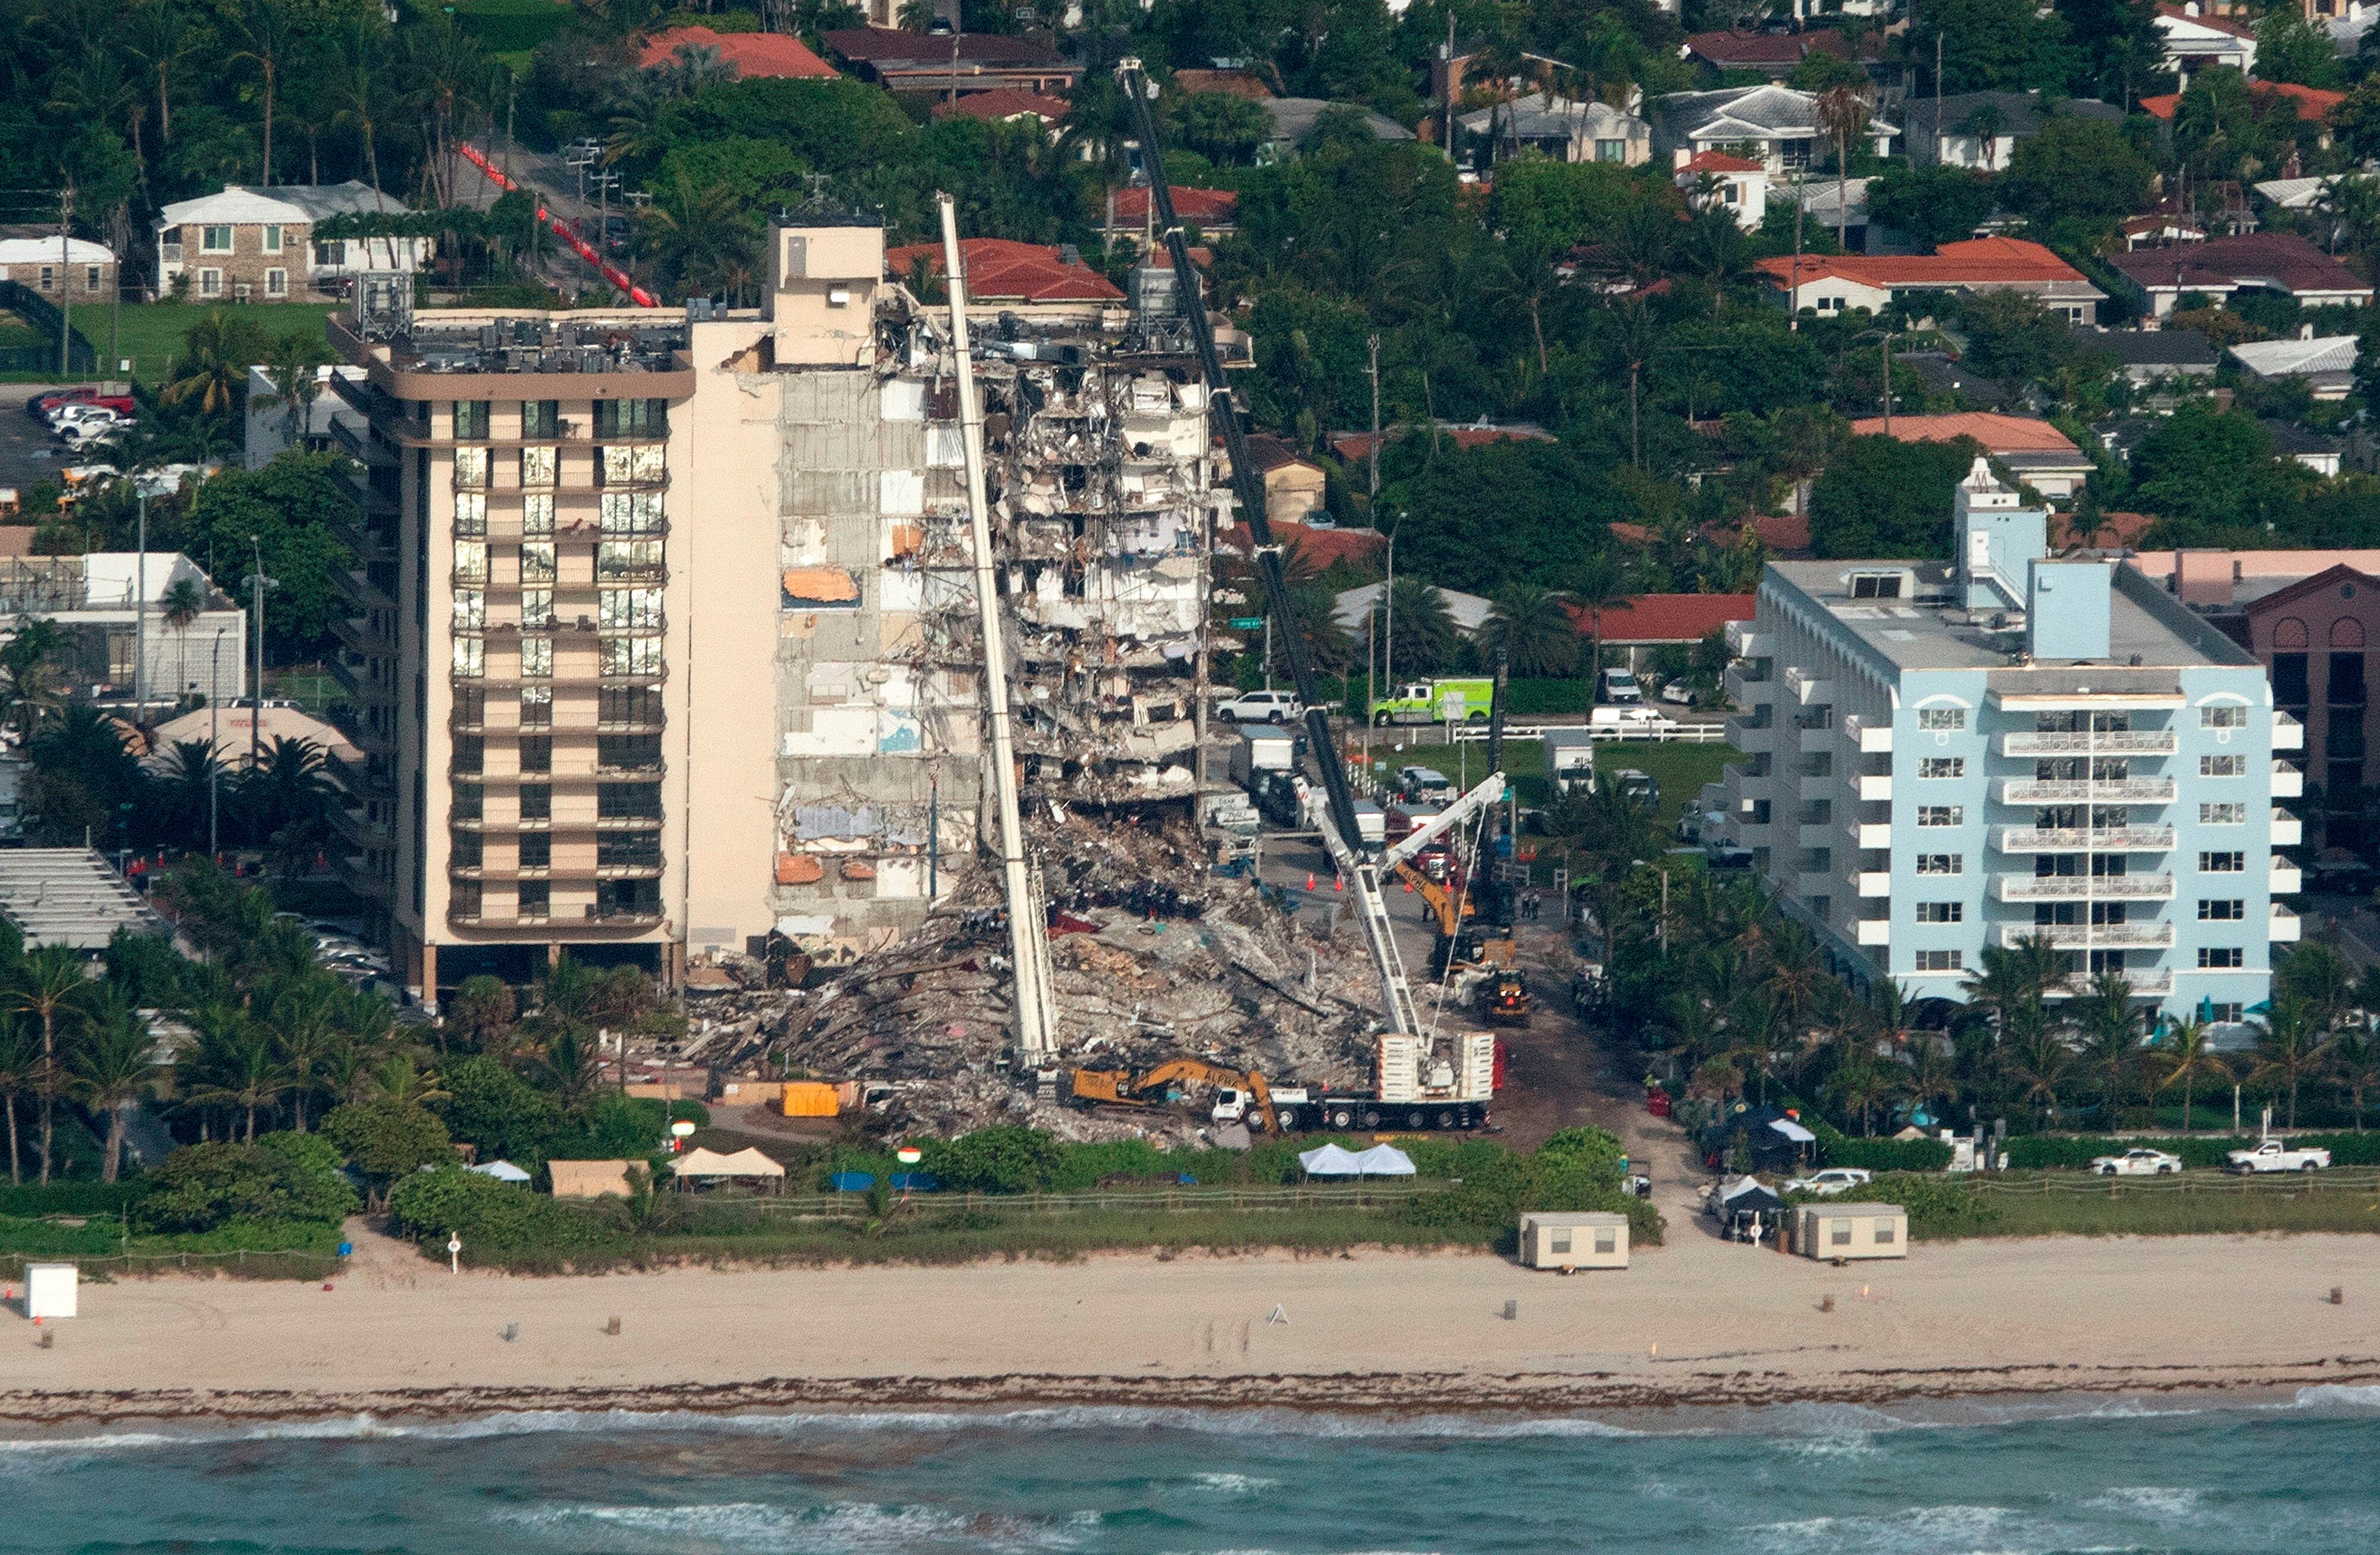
{"points": [[1691, 1323]]}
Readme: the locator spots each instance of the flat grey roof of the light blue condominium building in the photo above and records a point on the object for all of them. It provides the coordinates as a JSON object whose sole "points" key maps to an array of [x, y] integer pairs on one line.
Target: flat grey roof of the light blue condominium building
{"points": [[1934, 634]]}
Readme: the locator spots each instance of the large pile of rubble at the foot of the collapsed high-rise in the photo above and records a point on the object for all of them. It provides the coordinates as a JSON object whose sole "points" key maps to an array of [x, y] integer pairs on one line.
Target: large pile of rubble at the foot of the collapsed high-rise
{"points": [[1153, 957]]}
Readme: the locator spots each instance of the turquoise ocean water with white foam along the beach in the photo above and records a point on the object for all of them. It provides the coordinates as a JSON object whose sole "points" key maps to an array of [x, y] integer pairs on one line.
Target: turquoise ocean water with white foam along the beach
{"points": [[2298, 1475]]}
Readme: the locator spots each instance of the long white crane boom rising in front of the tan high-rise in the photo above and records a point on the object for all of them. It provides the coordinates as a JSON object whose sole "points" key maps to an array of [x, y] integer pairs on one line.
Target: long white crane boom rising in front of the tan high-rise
{"points": [[1027, 931]]}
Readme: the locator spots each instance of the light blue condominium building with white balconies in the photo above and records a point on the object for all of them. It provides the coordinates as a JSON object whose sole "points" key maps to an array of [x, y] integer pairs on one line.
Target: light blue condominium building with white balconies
{"points": [[1948, 757]]}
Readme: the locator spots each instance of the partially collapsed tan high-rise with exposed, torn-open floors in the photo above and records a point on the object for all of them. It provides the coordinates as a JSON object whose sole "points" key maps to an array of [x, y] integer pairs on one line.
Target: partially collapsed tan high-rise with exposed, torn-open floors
{"points": [[665, 638]]}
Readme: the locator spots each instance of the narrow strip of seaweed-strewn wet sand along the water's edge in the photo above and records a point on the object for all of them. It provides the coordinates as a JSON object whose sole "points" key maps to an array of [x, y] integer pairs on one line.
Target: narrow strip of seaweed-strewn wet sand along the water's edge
{"points": [[1382, 1397]]}
